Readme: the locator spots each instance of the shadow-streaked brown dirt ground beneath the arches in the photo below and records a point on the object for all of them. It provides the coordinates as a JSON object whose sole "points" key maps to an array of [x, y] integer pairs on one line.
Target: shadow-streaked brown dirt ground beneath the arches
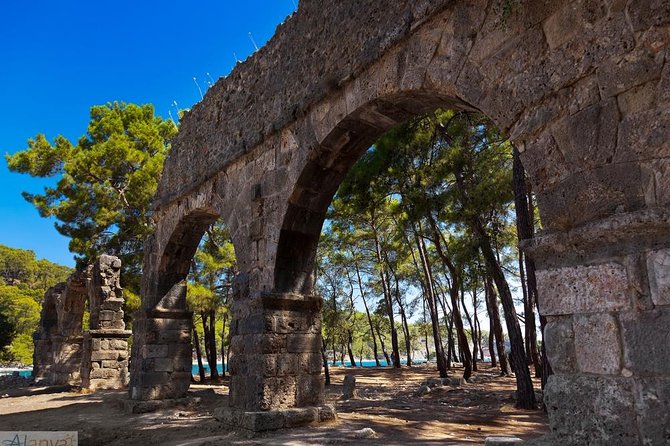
{"points": [[387, 404]]}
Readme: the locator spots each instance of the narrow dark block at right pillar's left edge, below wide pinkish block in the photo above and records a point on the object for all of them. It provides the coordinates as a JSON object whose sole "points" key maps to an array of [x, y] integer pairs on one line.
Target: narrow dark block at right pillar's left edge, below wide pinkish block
{"points": [[560, 341]]}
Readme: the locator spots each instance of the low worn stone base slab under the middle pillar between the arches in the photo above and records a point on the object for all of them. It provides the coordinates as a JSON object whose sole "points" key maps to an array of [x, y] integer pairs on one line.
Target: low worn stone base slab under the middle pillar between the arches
{"points": [[274, 419]]}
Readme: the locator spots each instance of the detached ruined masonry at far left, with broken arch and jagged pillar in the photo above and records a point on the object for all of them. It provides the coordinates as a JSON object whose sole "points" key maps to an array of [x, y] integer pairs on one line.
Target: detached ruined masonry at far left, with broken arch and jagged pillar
{"points": [[96, 358]]}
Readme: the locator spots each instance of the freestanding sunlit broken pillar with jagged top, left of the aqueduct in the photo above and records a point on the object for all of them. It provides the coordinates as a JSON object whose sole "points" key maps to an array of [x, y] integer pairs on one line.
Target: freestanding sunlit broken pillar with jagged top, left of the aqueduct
{"points": [[104, 362]]}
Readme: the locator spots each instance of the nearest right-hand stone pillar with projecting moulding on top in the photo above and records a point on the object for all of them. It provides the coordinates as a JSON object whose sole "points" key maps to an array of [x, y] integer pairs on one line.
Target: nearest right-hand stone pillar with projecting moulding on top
{"points": [[605, 290]]}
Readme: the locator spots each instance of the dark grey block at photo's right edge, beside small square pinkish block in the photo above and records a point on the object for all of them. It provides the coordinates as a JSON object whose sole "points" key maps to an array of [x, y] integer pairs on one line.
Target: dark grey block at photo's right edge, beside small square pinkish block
{"points": [[646, 340]]}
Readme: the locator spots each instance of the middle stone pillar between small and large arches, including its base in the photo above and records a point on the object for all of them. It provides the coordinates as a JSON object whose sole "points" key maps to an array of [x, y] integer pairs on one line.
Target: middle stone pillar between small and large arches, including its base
{"points": [[275, 363]]}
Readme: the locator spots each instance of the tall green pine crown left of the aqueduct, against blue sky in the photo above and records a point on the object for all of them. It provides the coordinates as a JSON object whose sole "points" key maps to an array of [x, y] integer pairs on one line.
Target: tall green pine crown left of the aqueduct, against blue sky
{"points": [[105, 182]]}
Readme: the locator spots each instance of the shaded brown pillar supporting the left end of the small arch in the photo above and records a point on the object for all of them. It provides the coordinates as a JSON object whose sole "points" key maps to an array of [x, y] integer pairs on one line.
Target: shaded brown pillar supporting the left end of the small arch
{"points": [[161, 354]]}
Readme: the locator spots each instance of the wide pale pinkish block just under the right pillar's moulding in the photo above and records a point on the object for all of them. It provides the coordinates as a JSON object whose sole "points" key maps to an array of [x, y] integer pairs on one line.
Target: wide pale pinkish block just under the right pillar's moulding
{"points": [[583, 289]]}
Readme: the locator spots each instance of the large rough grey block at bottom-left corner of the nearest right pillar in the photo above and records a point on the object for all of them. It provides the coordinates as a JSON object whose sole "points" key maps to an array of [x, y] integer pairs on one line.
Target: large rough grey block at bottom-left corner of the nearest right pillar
{"points": [[586, 407]]}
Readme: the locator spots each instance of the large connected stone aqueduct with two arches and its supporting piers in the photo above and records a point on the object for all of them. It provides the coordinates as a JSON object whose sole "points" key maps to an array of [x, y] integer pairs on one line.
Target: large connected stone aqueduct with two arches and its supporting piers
{"points": [[581, 87]]}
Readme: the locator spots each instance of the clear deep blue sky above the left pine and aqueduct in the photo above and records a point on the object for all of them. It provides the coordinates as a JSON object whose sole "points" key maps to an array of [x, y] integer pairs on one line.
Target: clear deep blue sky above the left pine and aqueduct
{"points": [[57, 59]]}
